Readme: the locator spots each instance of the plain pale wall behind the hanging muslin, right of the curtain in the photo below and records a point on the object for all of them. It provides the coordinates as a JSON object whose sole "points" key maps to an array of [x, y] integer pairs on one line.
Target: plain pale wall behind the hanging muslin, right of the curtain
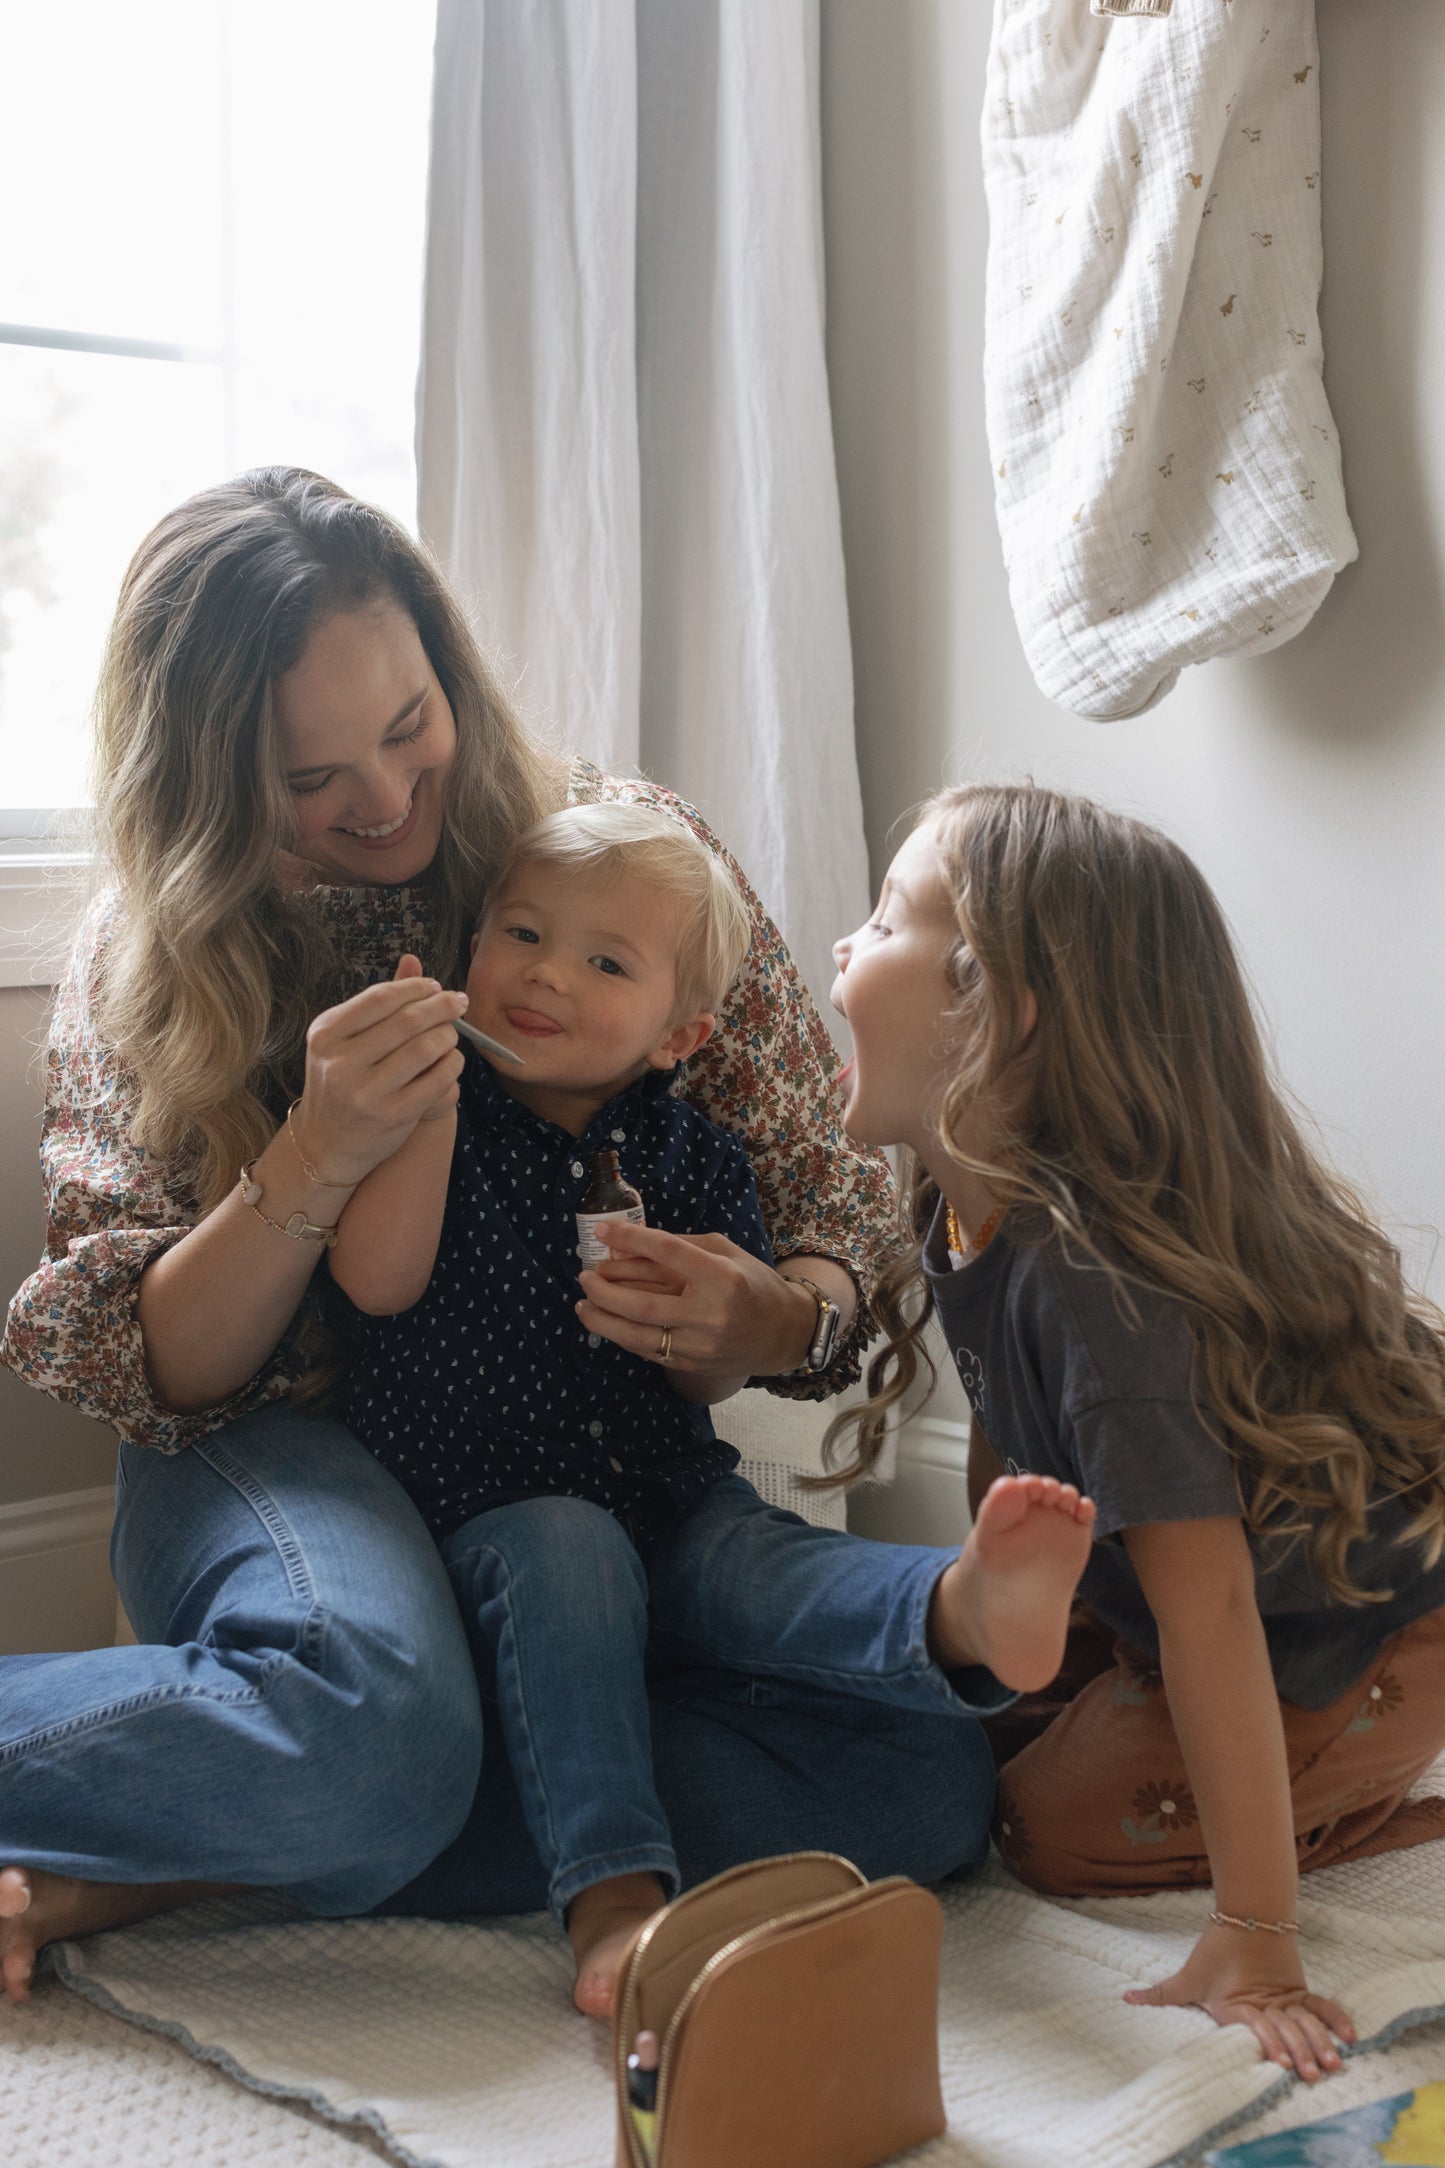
{"points": [[1310, 784]]}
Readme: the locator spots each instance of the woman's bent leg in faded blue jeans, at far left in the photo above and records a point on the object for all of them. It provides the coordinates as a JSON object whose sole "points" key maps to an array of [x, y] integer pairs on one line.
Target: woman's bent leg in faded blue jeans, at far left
{"points": [[304, 1709]]}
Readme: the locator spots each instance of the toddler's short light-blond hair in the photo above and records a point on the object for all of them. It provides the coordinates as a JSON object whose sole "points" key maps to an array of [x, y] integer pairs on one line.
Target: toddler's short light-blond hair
{"points": [[616, 838]]}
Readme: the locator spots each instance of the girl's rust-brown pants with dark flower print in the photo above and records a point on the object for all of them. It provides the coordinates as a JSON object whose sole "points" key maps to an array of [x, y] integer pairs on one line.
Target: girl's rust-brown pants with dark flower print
{"points": [[1093, 1794]]}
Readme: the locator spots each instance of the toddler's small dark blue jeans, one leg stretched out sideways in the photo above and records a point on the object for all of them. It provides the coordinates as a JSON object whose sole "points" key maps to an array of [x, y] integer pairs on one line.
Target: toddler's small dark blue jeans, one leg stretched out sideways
{"points": [[562, 1612]]}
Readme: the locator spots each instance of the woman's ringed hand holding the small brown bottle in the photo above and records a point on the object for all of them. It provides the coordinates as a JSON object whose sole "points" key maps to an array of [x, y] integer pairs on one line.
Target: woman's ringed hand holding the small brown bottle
{"points": [[729, 1313]]}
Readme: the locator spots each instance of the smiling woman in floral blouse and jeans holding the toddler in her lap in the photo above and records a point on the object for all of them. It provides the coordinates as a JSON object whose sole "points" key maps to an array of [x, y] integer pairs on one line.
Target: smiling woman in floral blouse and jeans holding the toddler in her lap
{"points": [[304, 773]]}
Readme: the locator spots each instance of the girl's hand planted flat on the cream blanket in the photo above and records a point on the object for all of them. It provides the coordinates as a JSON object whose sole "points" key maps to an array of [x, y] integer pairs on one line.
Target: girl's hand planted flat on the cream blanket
{"points": [[1258, 1980]]}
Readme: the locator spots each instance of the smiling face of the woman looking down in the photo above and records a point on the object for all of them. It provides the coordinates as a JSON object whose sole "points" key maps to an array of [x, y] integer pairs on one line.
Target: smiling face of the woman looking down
{"points": [[367, 738]]}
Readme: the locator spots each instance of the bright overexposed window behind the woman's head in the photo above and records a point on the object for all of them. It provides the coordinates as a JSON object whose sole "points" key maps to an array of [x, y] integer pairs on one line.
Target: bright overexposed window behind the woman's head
{"points": [[211, 259]]}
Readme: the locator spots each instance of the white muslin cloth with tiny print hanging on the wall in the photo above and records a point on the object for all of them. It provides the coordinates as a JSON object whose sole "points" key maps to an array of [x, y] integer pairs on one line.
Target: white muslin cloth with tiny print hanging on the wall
{"points": [[1169, 474]]}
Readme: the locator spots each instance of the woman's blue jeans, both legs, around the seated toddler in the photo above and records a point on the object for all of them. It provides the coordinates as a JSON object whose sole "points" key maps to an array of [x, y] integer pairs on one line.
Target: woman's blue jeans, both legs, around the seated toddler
{"points": [[304, 1714]]}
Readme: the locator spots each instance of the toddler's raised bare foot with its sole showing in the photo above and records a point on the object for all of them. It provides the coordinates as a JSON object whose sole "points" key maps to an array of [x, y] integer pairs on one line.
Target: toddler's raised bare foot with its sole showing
{"points": [[1006, 1599]]}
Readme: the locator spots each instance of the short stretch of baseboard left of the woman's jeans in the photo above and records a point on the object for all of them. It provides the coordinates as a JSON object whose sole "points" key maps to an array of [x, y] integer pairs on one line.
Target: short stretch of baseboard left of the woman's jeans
{"points": [[55, 1577]]}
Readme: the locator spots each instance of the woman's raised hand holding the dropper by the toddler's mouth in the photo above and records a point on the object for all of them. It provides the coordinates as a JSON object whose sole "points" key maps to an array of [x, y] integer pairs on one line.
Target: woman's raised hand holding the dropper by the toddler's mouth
{"points": [[378, 1066]]}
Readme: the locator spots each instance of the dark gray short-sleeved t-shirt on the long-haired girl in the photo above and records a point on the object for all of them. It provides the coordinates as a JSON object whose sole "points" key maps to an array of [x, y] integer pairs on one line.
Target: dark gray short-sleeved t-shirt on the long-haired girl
{"points": [[1065, 1384]]}
